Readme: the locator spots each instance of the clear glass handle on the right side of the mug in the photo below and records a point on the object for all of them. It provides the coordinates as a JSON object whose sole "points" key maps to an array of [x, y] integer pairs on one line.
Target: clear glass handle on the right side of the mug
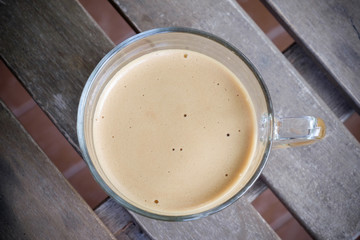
{"points": [[292, 132]]}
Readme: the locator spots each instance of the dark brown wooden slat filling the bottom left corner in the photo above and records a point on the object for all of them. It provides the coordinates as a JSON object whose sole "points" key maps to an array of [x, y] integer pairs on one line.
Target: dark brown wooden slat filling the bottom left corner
{"points": [[36, 200]]}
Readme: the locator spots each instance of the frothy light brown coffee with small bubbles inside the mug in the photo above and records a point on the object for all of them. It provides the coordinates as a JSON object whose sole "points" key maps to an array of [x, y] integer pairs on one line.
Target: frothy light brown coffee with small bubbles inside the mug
{"points": [[174, 131]]}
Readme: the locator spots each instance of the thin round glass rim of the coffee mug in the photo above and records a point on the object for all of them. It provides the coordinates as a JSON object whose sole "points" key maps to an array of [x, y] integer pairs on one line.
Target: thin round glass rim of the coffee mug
{"points": [[81, 115]]}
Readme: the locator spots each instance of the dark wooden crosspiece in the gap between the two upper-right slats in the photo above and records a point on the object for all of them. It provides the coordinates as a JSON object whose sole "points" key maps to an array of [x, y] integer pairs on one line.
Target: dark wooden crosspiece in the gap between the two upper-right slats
{"points": [[319, 81]]}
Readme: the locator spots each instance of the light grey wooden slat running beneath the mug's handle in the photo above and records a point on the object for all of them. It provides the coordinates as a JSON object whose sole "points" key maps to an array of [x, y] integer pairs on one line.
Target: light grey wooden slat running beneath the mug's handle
{"points": [[318, 183]]}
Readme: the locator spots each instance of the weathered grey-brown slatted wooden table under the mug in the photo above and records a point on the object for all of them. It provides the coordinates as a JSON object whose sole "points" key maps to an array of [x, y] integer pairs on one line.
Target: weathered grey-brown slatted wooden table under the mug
{"points": [[52, 47]]}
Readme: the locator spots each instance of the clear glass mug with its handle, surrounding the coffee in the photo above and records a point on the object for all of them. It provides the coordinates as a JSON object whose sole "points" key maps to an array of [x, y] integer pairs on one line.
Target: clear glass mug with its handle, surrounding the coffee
{"points": [[271, 132]]}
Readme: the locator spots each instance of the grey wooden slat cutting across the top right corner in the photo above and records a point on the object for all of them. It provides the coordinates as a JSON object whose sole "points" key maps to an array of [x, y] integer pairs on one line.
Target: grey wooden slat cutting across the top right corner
{"points": [[330, 32]]}
